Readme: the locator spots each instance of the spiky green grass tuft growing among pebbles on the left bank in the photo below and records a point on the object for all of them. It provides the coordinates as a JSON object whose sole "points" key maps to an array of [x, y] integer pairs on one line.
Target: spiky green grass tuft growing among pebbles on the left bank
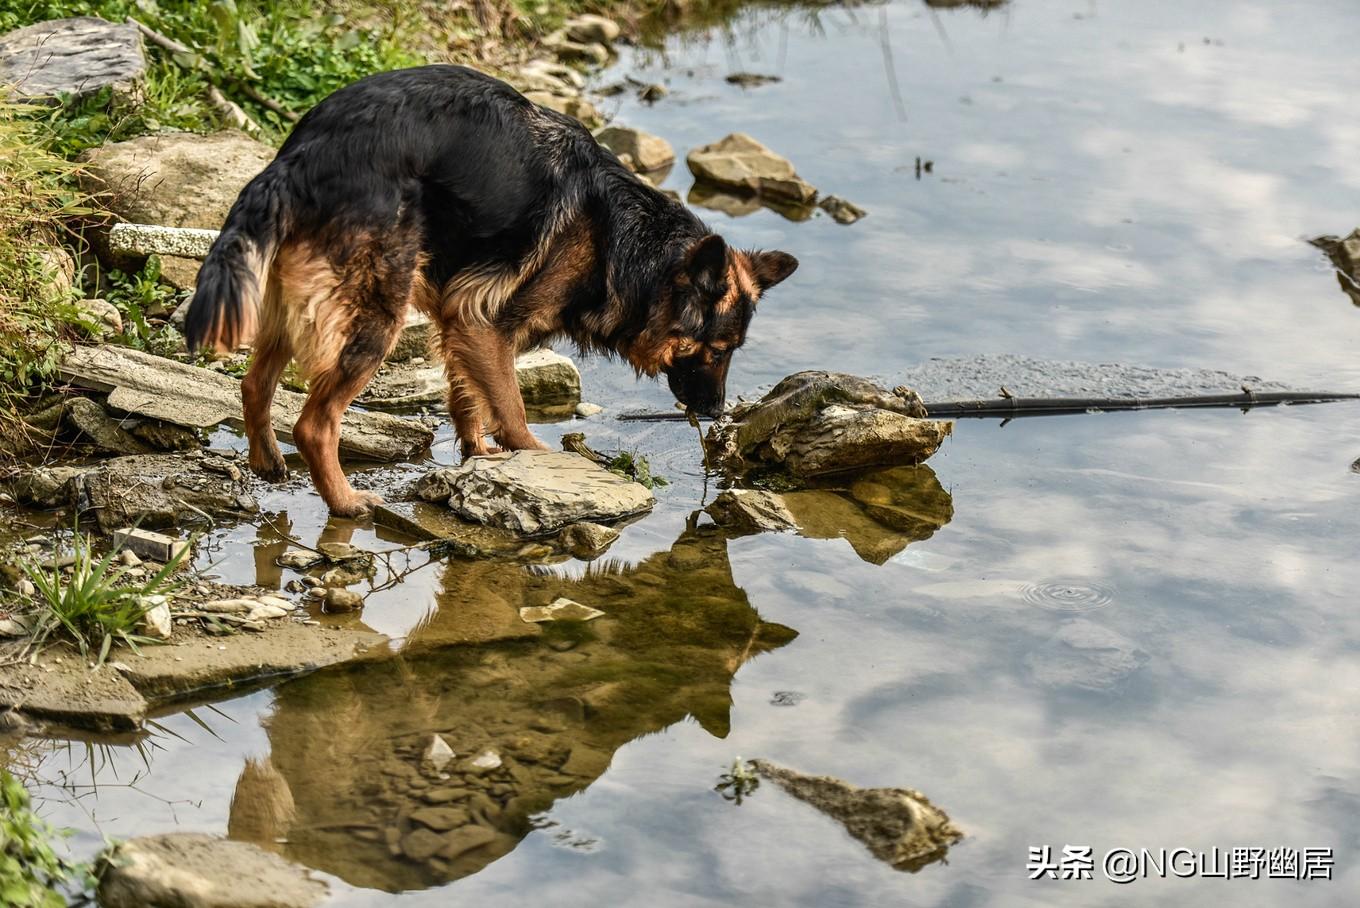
{"points": [[93, 607]]}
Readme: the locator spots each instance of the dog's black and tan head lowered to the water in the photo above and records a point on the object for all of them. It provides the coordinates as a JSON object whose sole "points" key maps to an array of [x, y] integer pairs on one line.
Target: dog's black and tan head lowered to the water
{"points": [[712, 302]]}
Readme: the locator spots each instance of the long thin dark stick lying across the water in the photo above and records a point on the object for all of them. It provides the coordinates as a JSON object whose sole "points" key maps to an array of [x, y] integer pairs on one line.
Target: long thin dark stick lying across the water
{"points": [[1014, 407]]}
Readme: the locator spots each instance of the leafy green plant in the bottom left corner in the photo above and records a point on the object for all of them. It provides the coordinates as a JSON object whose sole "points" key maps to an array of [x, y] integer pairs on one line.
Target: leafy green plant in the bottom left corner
{"points": [[32, 873]]}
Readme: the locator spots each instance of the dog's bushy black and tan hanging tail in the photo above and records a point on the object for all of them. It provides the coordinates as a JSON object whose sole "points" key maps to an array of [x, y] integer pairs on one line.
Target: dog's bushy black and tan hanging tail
{"points": [[225, 311]]}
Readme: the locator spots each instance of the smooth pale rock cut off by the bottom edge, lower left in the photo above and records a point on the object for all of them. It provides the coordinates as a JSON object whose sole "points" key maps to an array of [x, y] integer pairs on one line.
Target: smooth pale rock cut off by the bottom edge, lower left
{"points": [[194, 871]]}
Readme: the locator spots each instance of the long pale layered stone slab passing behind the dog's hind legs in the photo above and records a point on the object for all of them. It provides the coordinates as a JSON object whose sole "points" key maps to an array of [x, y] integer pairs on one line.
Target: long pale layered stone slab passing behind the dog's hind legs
{"points": [[195, 398]]}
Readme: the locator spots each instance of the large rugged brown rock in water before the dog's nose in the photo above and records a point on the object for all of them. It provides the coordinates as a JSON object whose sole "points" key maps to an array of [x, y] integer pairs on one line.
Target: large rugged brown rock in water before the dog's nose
{"points": [[817, 423]]}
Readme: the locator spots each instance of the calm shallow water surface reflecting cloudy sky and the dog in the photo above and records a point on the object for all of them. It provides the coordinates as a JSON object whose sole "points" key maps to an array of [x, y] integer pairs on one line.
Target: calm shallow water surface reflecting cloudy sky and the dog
{"points": [[1123, 631]]}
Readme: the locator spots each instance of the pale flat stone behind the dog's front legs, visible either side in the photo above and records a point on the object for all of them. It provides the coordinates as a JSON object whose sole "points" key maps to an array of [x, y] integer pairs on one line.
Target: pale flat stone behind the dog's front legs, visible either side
{"points": [[546, 380]]}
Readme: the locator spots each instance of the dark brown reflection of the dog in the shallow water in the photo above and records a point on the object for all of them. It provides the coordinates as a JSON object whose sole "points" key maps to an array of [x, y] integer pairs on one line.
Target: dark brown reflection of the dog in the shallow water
{"points": [[532, 713]]}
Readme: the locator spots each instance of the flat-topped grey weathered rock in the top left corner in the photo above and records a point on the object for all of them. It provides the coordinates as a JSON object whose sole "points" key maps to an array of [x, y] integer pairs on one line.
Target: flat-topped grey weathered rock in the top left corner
{"points": [[75, 58]]}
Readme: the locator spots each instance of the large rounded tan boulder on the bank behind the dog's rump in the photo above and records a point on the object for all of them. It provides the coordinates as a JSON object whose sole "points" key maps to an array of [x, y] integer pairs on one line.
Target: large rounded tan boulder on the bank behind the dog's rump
{"points": [[176, 180]]}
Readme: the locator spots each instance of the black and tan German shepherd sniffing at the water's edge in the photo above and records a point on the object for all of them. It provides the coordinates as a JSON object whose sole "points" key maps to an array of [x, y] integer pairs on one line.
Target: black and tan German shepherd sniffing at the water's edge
{"points": [[508, 225]]}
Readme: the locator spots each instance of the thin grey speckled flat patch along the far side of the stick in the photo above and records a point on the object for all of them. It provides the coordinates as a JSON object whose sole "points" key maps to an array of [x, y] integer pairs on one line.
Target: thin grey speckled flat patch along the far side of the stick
{"points": [[984, 377]]}
